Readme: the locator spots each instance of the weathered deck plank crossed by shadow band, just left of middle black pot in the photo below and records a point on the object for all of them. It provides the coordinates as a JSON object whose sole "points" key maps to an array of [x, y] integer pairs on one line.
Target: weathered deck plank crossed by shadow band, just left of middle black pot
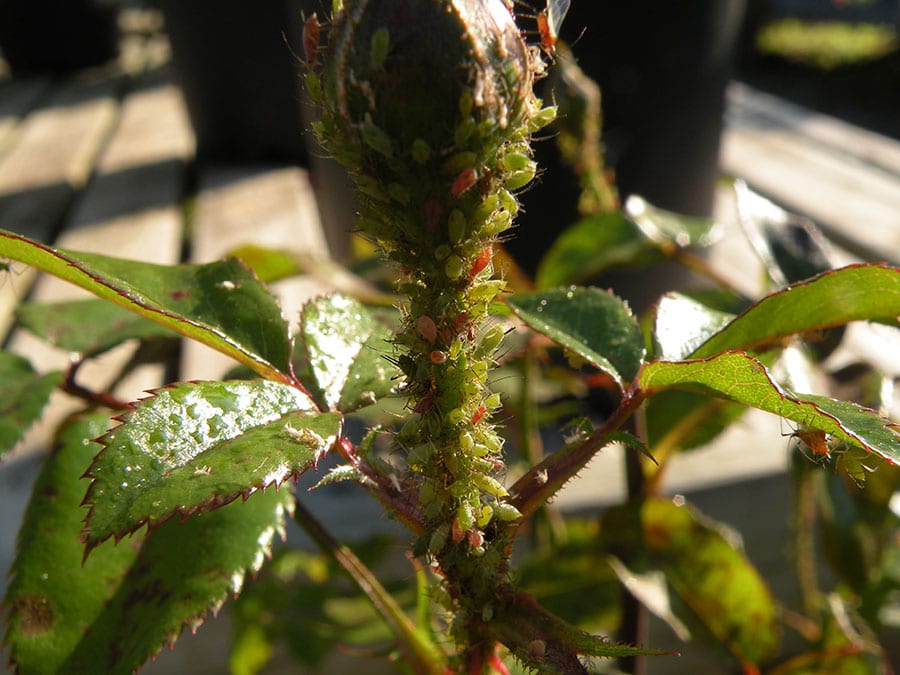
{"points": [[131, 209]]}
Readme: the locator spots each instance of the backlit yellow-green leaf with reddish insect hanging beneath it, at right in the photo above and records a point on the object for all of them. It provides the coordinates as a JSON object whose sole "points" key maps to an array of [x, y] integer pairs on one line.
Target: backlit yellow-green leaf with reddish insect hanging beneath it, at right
{"points": [[735, 376]]}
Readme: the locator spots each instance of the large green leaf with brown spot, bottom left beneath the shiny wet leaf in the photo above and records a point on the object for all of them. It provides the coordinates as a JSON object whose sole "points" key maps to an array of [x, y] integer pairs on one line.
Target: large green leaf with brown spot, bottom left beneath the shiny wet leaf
{"points": [[117, 609]]}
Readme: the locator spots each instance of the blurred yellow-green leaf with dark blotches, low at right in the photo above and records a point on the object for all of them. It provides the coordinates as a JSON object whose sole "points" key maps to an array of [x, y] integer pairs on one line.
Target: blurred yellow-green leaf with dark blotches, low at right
{"points": [[713, 579]]}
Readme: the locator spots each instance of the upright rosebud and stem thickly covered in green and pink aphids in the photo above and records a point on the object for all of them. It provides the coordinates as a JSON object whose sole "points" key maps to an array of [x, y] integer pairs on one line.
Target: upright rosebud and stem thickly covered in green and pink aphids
{"points": [[430, 105]]}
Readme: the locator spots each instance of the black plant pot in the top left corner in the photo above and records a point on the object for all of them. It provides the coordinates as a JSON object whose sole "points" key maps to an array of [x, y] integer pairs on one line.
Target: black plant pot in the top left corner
{"points": [[53, 37]]}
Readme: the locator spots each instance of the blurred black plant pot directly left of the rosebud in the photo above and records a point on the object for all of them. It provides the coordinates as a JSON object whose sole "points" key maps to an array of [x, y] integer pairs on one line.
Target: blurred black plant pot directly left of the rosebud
{"points": [[240, 76]]}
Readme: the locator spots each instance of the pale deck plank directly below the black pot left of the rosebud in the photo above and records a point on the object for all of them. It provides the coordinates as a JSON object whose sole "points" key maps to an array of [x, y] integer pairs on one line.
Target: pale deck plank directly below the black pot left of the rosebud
{"points": [[268, 206]]}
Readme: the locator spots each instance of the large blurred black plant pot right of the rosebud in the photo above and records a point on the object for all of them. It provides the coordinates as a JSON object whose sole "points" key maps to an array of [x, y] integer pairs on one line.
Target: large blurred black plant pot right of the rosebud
{"points": [[662, 68]]}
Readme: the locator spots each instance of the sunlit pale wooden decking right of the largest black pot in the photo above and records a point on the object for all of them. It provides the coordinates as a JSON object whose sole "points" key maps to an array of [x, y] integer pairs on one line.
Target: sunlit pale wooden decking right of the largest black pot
{"points": [[844, 178]]}
